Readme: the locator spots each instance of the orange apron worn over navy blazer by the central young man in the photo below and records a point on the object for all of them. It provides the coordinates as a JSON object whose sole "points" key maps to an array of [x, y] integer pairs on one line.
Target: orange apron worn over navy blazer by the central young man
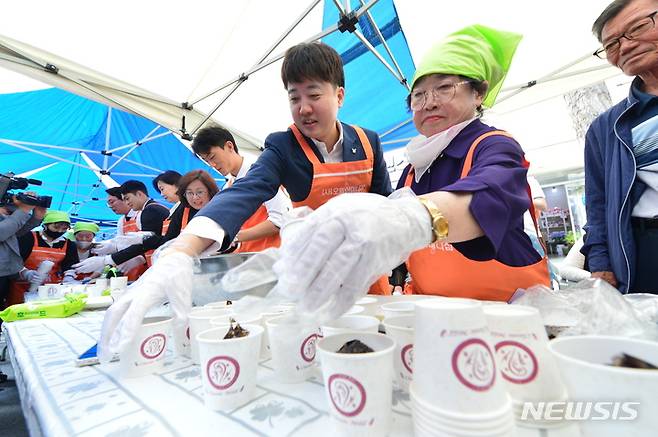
{"points": [[333, 178]]}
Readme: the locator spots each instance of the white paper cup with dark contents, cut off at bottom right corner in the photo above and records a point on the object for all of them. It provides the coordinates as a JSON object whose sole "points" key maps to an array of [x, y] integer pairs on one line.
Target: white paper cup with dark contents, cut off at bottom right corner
{"points": [[583, 363]]}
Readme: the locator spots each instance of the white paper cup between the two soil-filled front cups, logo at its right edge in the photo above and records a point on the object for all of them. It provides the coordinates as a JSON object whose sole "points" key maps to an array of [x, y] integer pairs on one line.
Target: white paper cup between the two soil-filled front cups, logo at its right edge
{"points": [[292, 348]]}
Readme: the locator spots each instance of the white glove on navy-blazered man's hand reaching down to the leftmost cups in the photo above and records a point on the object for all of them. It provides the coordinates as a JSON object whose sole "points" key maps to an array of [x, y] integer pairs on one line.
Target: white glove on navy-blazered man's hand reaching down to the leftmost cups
{"points": [[169, 278]]}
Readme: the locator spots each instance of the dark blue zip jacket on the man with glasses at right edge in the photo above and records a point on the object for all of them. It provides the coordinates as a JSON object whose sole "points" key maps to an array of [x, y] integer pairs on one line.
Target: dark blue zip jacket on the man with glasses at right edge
{"points": [[610, 193]]}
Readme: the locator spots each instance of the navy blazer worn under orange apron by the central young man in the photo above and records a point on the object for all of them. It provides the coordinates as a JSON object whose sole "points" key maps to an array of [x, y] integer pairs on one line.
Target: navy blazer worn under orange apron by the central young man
{"points": [[283, 163]]}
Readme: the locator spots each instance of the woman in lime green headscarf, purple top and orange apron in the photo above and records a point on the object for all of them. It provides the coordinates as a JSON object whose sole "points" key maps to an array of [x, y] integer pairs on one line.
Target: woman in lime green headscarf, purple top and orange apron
{"points": [[463, 223]]}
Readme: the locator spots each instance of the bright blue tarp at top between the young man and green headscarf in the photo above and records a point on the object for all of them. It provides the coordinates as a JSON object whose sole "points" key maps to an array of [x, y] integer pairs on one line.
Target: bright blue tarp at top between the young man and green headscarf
{"points": [[374, 99]]}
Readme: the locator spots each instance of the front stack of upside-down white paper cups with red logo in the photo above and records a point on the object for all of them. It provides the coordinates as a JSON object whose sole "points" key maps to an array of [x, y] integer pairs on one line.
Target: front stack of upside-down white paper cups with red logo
{"points": [[455, 385]]}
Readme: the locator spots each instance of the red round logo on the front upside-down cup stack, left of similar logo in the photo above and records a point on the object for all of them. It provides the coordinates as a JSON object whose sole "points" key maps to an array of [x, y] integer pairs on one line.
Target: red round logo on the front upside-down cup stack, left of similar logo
{"points": [[474, 365]]}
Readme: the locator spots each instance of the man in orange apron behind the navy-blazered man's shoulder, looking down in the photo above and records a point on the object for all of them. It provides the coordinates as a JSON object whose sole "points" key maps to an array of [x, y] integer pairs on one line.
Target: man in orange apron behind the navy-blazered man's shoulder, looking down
{"points": [[216, 146]]}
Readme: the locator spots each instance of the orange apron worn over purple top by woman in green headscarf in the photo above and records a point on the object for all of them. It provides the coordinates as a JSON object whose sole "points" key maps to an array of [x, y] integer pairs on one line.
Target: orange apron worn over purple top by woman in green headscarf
{"points": [[440, 269]]}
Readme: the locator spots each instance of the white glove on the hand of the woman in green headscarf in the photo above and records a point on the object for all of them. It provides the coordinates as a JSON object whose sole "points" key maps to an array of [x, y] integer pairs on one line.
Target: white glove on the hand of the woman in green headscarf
{"points": [[338, 251]]}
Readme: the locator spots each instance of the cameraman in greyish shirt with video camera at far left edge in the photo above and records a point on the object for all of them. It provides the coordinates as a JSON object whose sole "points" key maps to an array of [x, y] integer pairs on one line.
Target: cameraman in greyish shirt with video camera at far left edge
{"points": [[13, 225]]}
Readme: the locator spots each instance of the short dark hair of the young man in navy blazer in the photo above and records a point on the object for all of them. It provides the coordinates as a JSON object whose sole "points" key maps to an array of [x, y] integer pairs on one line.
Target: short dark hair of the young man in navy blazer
{"points": [[312, 61]]}
